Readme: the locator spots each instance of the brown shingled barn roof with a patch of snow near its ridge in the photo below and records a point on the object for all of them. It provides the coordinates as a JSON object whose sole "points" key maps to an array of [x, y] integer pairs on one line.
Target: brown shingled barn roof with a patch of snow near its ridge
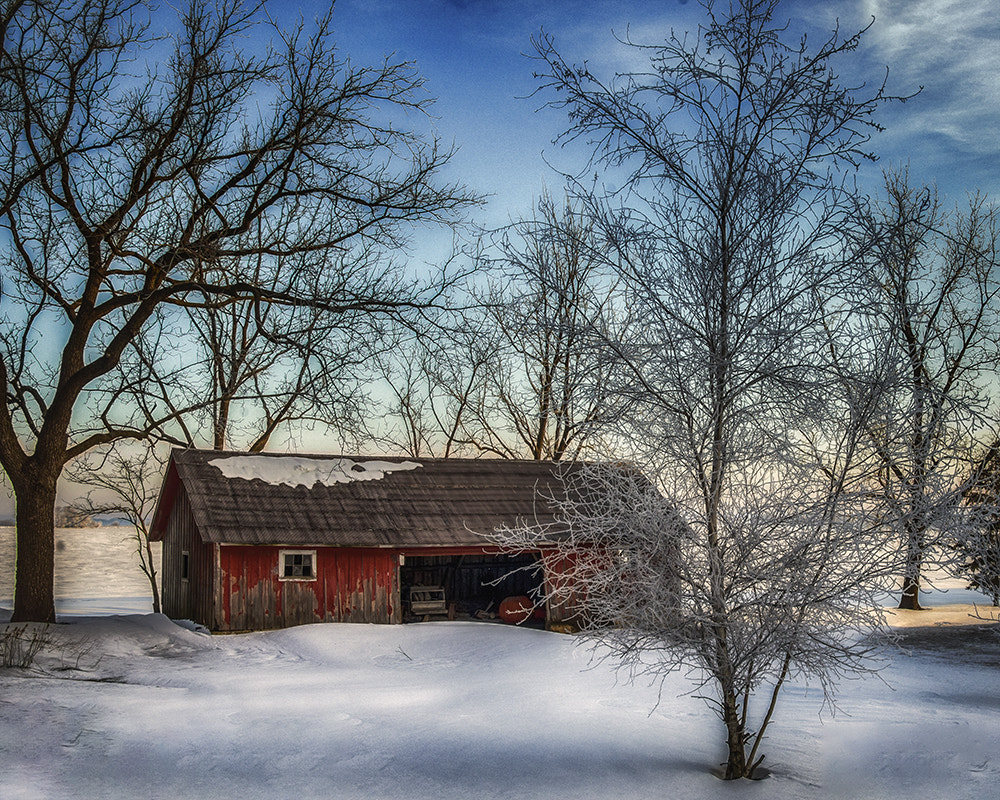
{"points": [[352, 501]]}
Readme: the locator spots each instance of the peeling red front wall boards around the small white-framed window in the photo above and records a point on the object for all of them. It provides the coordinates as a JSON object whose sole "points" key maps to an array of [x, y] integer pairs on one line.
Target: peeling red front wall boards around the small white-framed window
{"points": [[352, 585]]}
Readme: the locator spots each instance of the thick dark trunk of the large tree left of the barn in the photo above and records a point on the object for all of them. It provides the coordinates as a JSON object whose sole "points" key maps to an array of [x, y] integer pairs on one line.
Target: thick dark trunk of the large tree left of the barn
{"points": [[34, 598]]}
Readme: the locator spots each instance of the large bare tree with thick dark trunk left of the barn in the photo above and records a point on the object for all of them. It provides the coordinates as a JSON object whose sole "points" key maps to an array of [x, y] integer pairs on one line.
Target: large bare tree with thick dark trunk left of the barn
{"points": [[141, 174]]}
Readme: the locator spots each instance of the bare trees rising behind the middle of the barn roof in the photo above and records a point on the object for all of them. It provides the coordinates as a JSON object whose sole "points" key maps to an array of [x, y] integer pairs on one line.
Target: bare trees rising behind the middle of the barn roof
{"points": [[516, 371]]}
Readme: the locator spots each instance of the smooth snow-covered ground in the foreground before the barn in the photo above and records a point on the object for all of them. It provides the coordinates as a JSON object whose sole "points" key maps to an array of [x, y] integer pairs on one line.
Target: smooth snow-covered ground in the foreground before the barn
{"points": [[135, 706]]}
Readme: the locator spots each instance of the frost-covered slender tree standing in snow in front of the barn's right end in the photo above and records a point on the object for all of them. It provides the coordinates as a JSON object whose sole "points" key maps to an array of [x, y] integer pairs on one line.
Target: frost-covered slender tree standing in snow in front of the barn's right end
{"points": [[731, 221]]}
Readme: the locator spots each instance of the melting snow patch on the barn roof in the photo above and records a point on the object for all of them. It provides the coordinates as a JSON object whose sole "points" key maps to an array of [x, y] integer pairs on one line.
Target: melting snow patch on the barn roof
{"points": [[298, 471]]}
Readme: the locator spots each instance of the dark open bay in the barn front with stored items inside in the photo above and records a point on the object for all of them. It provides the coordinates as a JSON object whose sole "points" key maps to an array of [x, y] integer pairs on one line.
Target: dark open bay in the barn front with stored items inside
{"points": [[475, 585]]}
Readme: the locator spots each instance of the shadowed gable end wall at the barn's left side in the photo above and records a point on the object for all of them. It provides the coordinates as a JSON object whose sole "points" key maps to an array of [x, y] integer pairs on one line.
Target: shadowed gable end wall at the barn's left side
{"points": [[192, 598]]}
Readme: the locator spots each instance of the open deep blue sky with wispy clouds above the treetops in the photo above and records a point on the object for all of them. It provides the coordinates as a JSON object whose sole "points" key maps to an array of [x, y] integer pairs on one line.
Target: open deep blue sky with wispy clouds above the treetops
{"points": [[473, 55]]}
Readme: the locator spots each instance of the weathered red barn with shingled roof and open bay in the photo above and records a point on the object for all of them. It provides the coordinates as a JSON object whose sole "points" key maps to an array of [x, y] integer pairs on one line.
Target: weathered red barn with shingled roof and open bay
{"points": [[257, 541]]}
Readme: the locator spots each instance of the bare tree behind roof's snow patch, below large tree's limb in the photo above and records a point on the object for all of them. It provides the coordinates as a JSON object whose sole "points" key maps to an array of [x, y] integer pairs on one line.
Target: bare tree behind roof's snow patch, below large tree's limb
{"points": [[267, 368]]}
